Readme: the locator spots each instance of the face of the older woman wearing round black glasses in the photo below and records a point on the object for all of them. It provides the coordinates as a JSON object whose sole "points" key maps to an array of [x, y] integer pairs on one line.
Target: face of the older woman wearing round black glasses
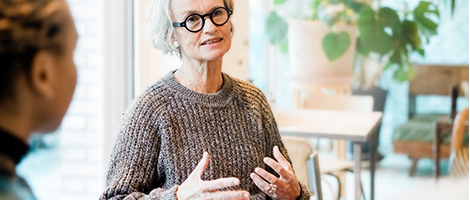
{"points": [[210, 43]]}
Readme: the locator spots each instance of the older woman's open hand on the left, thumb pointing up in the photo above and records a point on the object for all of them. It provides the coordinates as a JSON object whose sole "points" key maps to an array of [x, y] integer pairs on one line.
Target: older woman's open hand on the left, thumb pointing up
{"points": [[195, 188]]}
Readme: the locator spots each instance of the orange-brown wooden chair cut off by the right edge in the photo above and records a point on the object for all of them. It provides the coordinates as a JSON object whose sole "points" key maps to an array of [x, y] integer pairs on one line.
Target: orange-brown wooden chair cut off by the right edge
{"points": [[458, 164]]}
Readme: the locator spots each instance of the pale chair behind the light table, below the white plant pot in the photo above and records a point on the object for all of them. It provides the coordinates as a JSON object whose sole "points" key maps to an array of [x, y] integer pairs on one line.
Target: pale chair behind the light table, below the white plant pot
{"points": [[357, 103]]}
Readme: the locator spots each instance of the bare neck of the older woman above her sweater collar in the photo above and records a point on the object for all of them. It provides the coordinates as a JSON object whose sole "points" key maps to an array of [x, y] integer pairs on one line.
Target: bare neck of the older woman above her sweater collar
{"points": [[205, 77]]}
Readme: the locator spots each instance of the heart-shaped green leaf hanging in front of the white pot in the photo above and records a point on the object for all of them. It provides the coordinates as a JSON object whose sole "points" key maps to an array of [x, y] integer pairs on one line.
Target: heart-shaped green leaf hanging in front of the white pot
{"points": [[335, 45]]}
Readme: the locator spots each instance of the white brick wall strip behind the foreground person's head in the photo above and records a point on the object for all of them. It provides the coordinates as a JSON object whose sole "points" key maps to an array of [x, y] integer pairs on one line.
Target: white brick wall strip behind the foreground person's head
{"points": [[81, 137]]}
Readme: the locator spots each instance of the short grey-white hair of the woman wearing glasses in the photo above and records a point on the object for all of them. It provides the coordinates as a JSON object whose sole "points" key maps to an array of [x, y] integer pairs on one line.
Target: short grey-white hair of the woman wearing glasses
{"points": [[159, 28]]}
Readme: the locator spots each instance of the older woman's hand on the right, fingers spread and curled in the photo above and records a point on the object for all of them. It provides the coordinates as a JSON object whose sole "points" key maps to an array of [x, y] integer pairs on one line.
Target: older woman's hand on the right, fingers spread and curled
{"points": [[286, 187]]}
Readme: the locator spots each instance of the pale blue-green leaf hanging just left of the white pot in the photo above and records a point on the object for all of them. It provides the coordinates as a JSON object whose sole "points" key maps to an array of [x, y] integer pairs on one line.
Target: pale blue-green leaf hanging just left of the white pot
{"points": [[276, 28]]}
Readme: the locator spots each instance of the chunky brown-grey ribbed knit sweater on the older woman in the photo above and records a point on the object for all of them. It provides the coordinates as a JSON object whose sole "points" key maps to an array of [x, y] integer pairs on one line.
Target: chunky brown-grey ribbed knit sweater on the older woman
{"points": [[166, 130]]}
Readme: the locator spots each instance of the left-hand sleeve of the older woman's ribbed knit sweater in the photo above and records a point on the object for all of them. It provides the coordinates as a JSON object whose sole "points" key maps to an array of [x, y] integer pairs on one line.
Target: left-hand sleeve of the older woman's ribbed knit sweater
{"points": [[132, 172]]}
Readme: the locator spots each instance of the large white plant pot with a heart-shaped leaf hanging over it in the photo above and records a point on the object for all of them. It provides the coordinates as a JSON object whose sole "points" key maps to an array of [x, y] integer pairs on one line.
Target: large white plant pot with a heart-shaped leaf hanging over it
{"points": [[308, 62]]}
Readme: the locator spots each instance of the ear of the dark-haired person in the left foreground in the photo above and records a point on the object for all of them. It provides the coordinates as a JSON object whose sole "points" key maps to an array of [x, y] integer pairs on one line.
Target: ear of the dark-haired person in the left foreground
{"points": [[41, 77]]}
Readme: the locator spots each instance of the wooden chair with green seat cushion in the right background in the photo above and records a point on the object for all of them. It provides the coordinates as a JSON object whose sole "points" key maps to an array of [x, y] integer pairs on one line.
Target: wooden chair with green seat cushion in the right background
{"points": [[415, 137]]}
